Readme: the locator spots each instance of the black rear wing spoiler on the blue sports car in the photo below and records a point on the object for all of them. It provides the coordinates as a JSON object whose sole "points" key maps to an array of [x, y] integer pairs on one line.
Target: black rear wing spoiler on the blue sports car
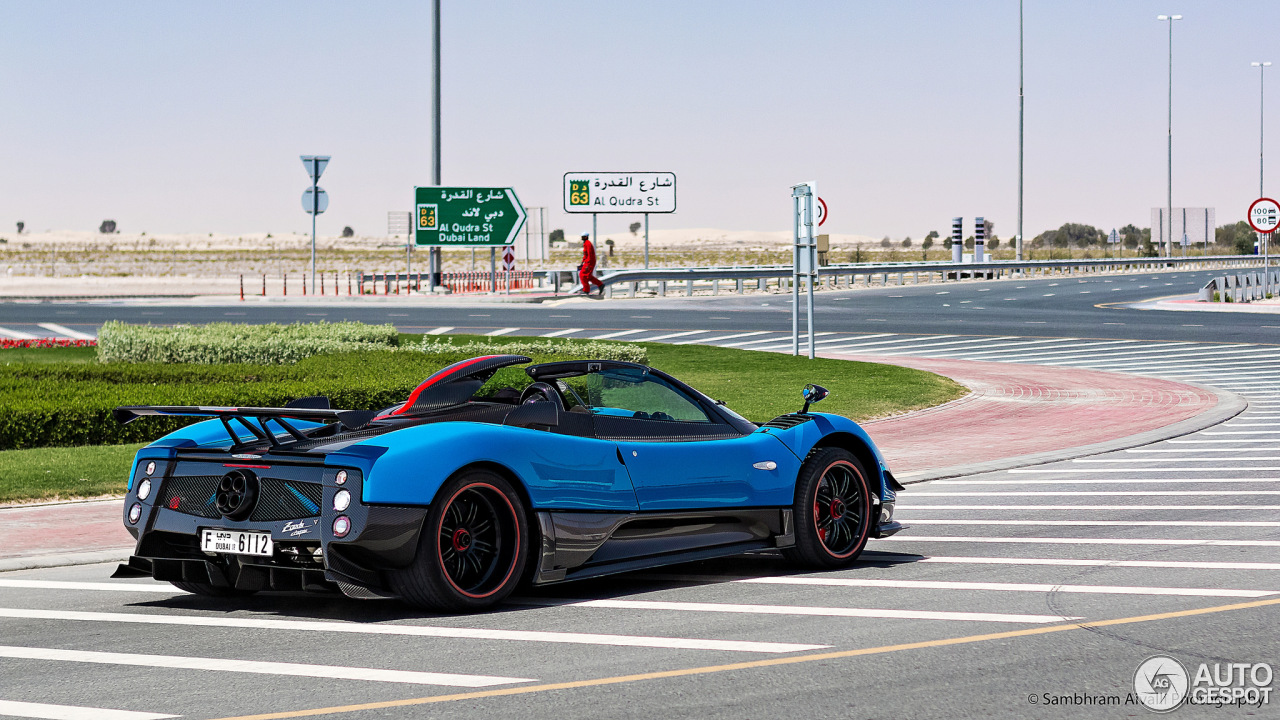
{"points": [[316, 409]]}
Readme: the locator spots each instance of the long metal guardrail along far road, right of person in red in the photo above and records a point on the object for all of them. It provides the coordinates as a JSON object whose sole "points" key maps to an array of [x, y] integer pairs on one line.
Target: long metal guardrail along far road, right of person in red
{"points": [[835, 275]]}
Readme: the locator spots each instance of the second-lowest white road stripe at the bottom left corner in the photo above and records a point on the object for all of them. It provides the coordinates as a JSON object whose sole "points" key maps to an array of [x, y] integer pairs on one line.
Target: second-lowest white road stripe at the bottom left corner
{"points": [[259, 668]]}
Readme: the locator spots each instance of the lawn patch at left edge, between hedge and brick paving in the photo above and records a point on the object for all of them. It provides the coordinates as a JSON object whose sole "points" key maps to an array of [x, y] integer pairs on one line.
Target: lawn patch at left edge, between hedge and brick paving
{"points": [[65, 473]]}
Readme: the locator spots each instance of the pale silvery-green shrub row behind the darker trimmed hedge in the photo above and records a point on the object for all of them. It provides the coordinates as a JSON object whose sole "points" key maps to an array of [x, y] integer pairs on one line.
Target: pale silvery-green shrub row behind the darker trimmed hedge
{"points": [[228, 343]]}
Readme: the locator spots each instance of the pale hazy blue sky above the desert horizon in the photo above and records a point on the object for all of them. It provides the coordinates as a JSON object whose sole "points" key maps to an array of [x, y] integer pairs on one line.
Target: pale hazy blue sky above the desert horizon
{"points": [[190, 117]]}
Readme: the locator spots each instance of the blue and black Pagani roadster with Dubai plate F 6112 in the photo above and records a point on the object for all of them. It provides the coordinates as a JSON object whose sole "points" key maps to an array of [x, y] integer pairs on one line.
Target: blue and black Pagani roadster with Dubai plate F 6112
{"points": [[450, 502]]}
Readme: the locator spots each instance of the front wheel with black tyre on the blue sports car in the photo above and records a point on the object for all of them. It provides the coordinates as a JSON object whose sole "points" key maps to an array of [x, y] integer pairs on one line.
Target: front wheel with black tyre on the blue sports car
{"points": [[834, 511]]}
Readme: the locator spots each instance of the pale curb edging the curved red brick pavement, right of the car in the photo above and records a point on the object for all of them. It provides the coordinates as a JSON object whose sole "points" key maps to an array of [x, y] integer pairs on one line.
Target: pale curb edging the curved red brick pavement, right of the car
{"points": [[1229, 405]]}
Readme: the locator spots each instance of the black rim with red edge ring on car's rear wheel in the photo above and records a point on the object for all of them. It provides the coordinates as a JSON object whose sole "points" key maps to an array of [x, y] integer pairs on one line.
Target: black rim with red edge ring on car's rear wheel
{"points": [[451, 548]]}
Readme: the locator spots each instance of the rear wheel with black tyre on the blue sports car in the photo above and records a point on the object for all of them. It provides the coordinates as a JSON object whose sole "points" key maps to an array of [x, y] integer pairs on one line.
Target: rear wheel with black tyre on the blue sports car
{"points": [[473, 550]]}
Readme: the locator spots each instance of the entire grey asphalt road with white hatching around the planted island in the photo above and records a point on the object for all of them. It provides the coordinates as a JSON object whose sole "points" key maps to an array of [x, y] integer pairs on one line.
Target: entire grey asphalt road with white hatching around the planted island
{"points": [[1049, 584]]}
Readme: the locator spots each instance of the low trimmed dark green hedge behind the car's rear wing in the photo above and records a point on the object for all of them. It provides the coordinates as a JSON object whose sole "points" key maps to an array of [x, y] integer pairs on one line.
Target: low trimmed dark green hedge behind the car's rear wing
{"points": [[44, 405]]}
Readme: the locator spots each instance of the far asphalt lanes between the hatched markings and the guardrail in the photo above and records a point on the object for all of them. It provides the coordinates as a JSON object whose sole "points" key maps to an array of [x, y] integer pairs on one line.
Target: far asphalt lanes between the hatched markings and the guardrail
{"points": [[1062, 307]]}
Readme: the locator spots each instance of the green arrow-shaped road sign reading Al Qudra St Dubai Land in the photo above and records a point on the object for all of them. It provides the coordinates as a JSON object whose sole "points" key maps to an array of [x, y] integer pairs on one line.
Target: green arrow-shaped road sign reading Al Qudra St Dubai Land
{"points": [[467, 216]]}
